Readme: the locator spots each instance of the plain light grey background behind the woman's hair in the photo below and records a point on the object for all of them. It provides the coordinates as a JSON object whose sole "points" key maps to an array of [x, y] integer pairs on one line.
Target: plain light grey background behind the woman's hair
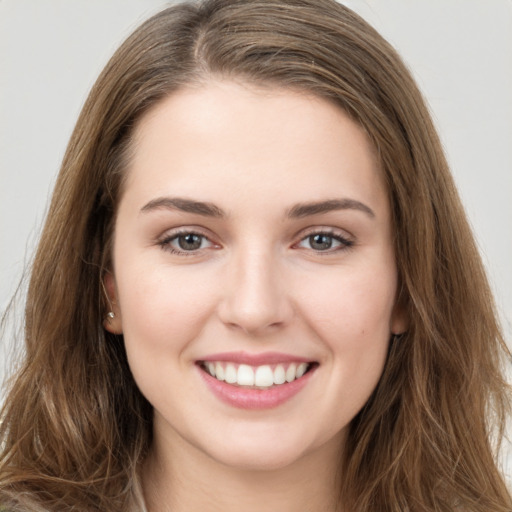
{"points": [[460, 51]]}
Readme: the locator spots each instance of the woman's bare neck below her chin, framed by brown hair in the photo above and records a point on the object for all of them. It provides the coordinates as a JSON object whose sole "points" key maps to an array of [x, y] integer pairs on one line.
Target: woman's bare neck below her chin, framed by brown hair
{"points": [[190, 481]]}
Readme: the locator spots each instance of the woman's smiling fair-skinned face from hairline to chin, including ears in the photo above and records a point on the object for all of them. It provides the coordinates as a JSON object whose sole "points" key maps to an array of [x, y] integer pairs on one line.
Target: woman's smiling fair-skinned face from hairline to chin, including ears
{"points": [[253, 272]]}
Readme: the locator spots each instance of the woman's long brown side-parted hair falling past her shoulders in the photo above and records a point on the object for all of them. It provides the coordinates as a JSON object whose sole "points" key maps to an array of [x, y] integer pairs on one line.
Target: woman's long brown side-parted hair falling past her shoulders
{"points": [[75, 428]]}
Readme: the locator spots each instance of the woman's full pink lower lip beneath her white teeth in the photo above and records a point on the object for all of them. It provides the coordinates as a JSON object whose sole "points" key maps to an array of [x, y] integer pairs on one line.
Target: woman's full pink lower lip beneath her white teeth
{"points": [[244, 398]]}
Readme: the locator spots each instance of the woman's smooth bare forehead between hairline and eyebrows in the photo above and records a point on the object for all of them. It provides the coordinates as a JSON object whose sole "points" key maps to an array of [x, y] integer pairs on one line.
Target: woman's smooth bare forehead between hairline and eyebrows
{"points": [[233, 136]]}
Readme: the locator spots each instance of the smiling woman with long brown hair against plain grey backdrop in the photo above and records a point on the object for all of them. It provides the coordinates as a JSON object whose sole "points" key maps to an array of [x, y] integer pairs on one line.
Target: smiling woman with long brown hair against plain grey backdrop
{"points": [[256, 287]]}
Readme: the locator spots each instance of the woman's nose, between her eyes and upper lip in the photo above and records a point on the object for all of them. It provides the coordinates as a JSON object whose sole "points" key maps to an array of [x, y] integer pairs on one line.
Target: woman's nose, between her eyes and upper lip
{"points": [[255, 298]]}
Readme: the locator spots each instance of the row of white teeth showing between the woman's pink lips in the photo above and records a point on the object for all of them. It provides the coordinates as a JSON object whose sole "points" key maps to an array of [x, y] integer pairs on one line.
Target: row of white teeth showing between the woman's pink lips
{"points": [[256, 377]]}
